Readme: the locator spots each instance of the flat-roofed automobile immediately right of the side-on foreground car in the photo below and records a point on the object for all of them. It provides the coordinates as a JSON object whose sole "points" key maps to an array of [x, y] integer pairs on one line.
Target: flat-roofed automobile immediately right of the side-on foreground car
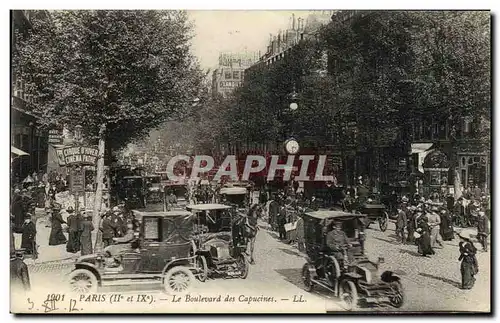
{"points": [[220, 241]]}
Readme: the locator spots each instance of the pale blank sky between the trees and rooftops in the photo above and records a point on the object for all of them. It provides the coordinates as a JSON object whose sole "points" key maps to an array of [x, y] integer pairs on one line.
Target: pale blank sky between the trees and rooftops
{"points": [[235, 31]]}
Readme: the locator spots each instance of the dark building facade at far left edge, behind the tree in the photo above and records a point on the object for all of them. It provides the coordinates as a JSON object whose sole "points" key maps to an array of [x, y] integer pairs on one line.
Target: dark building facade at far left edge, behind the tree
{"points": [[25, 135]]}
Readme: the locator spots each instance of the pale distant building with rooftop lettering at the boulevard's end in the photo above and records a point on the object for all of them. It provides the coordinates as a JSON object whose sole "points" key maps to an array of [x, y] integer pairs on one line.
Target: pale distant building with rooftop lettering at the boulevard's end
{"points": [[231, 71]]}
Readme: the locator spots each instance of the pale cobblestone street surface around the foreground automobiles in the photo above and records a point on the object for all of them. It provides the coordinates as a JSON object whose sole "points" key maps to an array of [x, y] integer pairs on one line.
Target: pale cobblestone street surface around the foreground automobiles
{"points": [[431, 284]]}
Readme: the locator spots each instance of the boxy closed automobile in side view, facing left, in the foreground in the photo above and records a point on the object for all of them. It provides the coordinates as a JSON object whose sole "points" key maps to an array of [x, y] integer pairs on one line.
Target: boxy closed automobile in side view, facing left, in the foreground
{"points": [[162, 251]]}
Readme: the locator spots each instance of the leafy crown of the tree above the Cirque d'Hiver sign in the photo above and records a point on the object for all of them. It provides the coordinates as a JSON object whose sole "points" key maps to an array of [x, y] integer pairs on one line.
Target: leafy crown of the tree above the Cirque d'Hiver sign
{"points": [[130, 70]]}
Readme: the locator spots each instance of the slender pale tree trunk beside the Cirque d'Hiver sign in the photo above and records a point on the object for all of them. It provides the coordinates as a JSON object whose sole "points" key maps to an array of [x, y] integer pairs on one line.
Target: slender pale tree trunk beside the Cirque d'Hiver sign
{"points": [[98, 193]]}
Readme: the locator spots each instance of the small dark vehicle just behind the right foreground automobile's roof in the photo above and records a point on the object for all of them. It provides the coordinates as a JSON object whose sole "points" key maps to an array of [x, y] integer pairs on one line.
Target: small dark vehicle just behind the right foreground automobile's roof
{"points": [[373, 209]]}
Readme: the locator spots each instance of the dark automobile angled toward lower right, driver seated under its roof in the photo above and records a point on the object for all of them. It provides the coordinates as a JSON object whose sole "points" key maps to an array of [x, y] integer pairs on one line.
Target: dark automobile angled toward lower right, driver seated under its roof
{"points": [[353, 278]]}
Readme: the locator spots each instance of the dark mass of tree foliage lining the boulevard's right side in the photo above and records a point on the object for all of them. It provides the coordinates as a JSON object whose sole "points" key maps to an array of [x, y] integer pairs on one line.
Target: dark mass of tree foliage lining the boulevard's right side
{"points": [[386, 69]]}
